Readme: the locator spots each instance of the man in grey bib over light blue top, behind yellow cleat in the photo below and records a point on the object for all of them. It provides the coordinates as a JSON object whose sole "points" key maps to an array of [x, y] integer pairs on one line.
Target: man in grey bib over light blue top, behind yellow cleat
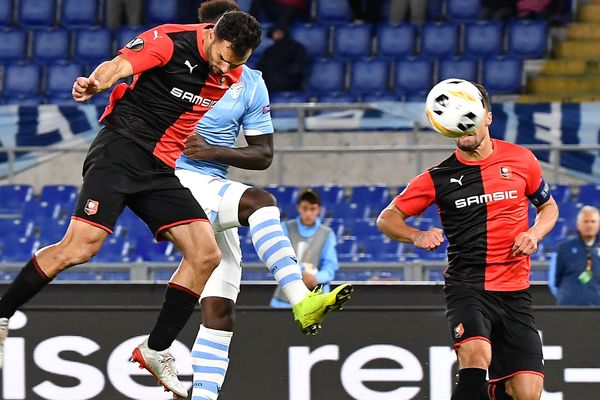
{"points": [[314, 244]]}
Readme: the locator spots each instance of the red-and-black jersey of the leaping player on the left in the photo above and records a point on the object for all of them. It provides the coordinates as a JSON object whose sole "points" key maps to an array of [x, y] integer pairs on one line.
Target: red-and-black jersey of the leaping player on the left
{"points": [[171, 90]]}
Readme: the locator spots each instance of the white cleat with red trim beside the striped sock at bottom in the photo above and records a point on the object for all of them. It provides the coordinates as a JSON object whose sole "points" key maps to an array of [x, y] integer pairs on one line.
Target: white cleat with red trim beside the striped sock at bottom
{"points": [[162, 366]]}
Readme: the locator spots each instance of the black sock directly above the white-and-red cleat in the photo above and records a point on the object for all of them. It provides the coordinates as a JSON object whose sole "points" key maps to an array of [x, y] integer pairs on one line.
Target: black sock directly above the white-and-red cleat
{"points": [[176, 311]]}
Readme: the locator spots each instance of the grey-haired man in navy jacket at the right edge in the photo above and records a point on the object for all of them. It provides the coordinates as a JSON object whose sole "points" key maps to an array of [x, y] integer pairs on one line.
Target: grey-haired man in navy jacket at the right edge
{"points": [[575, 268]]}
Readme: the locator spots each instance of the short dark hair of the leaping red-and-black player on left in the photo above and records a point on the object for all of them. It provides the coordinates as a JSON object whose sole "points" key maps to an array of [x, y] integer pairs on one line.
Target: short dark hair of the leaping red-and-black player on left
{"points": [[242, 30]]}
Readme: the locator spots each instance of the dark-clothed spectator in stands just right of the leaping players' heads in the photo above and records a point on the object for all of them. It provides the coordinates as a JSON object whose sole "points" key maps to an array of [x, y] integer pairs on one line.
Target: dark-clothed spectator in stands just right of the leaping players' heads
{"points": [[283, 64]]}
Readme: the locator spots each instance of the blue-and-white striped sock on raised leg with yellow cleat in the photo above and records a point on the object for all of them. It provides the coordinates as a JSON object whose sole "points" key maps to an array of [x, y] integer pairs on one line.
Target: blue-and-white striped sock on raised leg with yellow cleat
{"points": [[276, 251]]}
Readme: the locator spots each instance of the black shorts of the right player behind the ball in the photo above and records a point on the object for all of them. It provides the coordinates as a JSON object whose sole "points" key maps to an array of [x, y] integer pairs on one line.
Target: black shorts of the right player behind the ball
{"points": [[504, 319]]}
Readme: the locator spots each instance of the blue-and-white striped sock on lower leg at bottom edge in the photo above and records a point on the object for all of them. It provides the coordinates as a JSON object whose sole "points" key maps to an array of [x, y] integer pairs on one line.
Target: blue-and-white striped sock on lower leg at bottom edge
{"points": [[210, 359]]}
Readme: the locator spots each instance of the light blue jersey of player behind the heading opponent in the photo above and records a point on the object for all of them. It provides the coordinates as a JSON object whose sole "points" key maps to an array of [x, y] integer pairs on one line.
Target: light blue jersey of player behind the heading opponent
{"points": [[246, 104]]}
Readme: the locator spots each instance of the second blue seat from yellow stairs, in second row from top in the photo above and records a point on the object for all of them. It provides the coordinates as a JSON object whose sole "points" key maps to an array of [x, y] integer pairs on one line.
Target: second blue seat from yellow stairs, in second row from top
{"points": [[483, 38]]}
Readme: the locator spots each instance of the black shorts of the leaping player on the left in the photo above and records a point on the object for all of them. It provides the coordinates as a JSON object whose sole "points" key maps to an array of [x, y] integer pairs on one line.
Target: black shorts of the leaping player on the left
{"points": [[117, 172]]}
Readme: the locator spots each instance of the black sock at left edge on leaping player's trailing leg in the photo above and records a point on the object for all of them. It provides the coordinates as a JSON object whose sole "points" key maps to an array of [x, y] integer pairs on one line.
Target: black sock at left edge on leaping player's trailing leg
{"points": [[27, 284]]}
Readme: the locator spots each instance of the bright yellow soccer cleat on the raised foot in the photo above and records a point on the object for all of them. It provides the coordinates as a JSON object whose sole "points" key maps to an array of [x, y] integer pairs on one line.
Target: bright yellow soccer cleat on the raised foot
{"points": [[311, 311]]}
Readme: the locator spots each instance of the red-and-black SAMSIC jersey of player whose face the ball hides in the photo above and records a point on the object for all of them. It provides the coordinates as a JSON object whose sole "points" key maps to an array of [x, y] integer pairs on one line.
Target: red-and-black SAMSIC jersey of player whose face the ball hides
{"points": [[483, 206]]}
